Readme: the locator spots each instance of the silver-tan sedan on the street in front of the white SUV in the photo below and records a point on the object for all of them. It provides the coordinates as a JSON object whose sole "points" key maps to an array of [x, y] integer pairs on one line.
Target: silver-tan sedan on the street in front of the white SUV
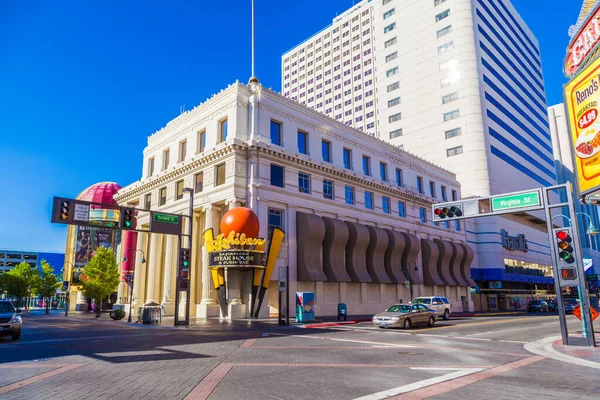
{"points": [[405, 316]]}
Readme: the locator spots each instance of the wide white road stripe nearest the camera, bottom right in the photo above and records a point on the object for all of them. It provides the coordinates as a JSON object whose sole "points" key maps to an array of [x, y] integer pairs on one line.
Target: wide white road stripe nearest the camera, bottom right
{"points": [[459, 382]]}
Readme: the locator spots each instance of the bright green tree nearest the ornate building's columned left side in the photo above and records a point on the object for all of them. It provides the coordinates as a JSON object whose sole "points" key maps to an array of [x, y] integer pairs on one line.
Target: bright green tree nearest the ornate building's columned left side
{"points": [[100, 276]]}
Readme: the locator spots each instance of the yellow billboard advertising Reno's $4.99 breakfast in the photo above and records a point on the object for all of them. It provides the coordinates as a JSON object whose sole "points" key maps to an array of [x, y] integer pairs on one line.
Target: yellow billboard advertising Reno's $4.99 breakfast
{"points": [[582, 100]]}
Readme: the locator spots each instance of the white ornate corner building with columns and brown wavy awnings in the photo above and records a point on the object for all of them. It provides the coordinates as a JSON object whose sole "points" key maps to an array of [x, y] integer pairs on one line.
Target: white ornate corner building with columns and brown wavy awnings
{"points": [[348, 202]]}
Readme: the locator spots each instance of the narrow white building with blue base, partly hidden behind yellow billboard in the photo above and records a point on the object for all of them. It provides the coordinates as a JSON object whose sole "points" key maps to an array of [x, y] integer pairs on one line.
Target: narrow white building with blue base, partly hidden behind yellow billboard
{"points": [[563, 155]]}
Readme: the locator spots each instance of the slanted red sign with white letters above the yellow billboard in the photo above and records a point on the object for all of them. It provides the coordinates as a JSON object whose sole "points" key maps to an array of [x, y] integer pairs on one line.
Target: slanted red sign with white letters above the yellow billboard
{"points": [[582, 45]]}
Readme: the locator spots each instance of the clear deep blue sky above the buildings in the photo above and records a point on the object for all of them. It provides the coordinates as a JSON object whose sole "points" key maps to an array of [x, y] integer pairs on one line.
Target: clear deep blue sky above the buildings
{"points": [[83, 84]]}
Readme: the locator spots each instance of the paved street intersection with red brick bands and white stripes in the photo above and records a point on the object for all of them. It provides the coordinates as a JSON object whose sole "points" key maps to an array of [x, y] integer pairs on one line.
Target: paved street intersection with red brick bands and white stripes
{"points": [[81, 358]]}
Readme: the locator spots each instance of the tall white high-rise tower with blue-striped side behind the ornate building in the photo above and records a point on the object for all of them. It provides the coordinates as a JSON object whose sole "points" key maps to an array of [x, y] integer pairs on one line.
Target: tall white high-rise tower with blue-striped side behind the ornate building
{"points": [[458, 82]]}
